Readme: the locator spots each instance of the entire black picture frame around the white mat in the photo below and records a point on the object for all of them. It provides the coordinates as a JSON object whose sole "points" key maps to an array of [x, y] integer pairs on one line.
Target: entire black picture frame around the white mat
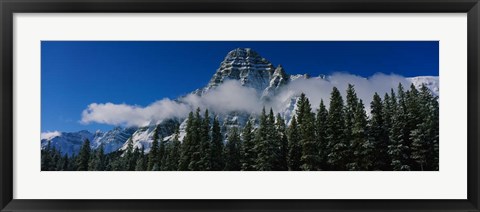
{"points": [[9, 7]]}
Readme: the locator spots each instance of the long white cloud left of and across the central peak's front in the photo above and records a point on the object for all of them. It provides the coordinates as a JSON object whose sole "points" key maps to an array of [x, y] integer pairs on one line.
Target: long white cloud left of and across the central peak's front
{"points": [[230, 96]]}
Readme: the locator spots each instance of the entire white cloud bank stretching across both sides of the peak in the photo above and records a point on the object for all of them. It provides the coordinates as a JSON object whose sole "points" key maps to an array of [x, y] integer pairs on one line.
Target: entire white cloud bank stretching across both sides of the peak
{"points": [[232, 96]]}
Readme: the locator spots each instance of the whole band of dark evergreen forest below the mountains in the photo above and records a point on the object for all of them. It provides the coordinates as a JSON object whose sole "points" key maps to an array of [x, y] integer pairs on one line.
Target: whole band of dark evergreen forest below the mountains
{"points": [[399, 133]]}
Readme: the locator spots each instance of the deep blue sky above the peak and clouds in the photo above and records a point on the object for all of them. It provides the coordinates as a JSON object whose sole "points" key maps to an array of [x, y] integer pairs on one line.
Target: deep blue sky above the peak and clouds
{"points": [[77, 73]]}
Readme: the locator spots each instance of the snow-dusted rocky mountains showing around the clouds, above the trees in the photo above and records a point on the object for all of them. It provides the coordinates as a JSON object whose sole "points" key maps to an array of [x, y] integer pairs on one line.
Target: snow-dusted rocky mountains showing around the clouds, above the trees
{"points": [[241, 64]]}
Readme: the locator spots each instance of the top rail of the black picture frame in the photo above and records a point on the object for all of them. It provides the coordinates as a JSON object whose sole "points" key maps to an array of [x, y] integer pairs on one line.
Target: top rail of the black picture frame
{"points": [[241, 6]]}
